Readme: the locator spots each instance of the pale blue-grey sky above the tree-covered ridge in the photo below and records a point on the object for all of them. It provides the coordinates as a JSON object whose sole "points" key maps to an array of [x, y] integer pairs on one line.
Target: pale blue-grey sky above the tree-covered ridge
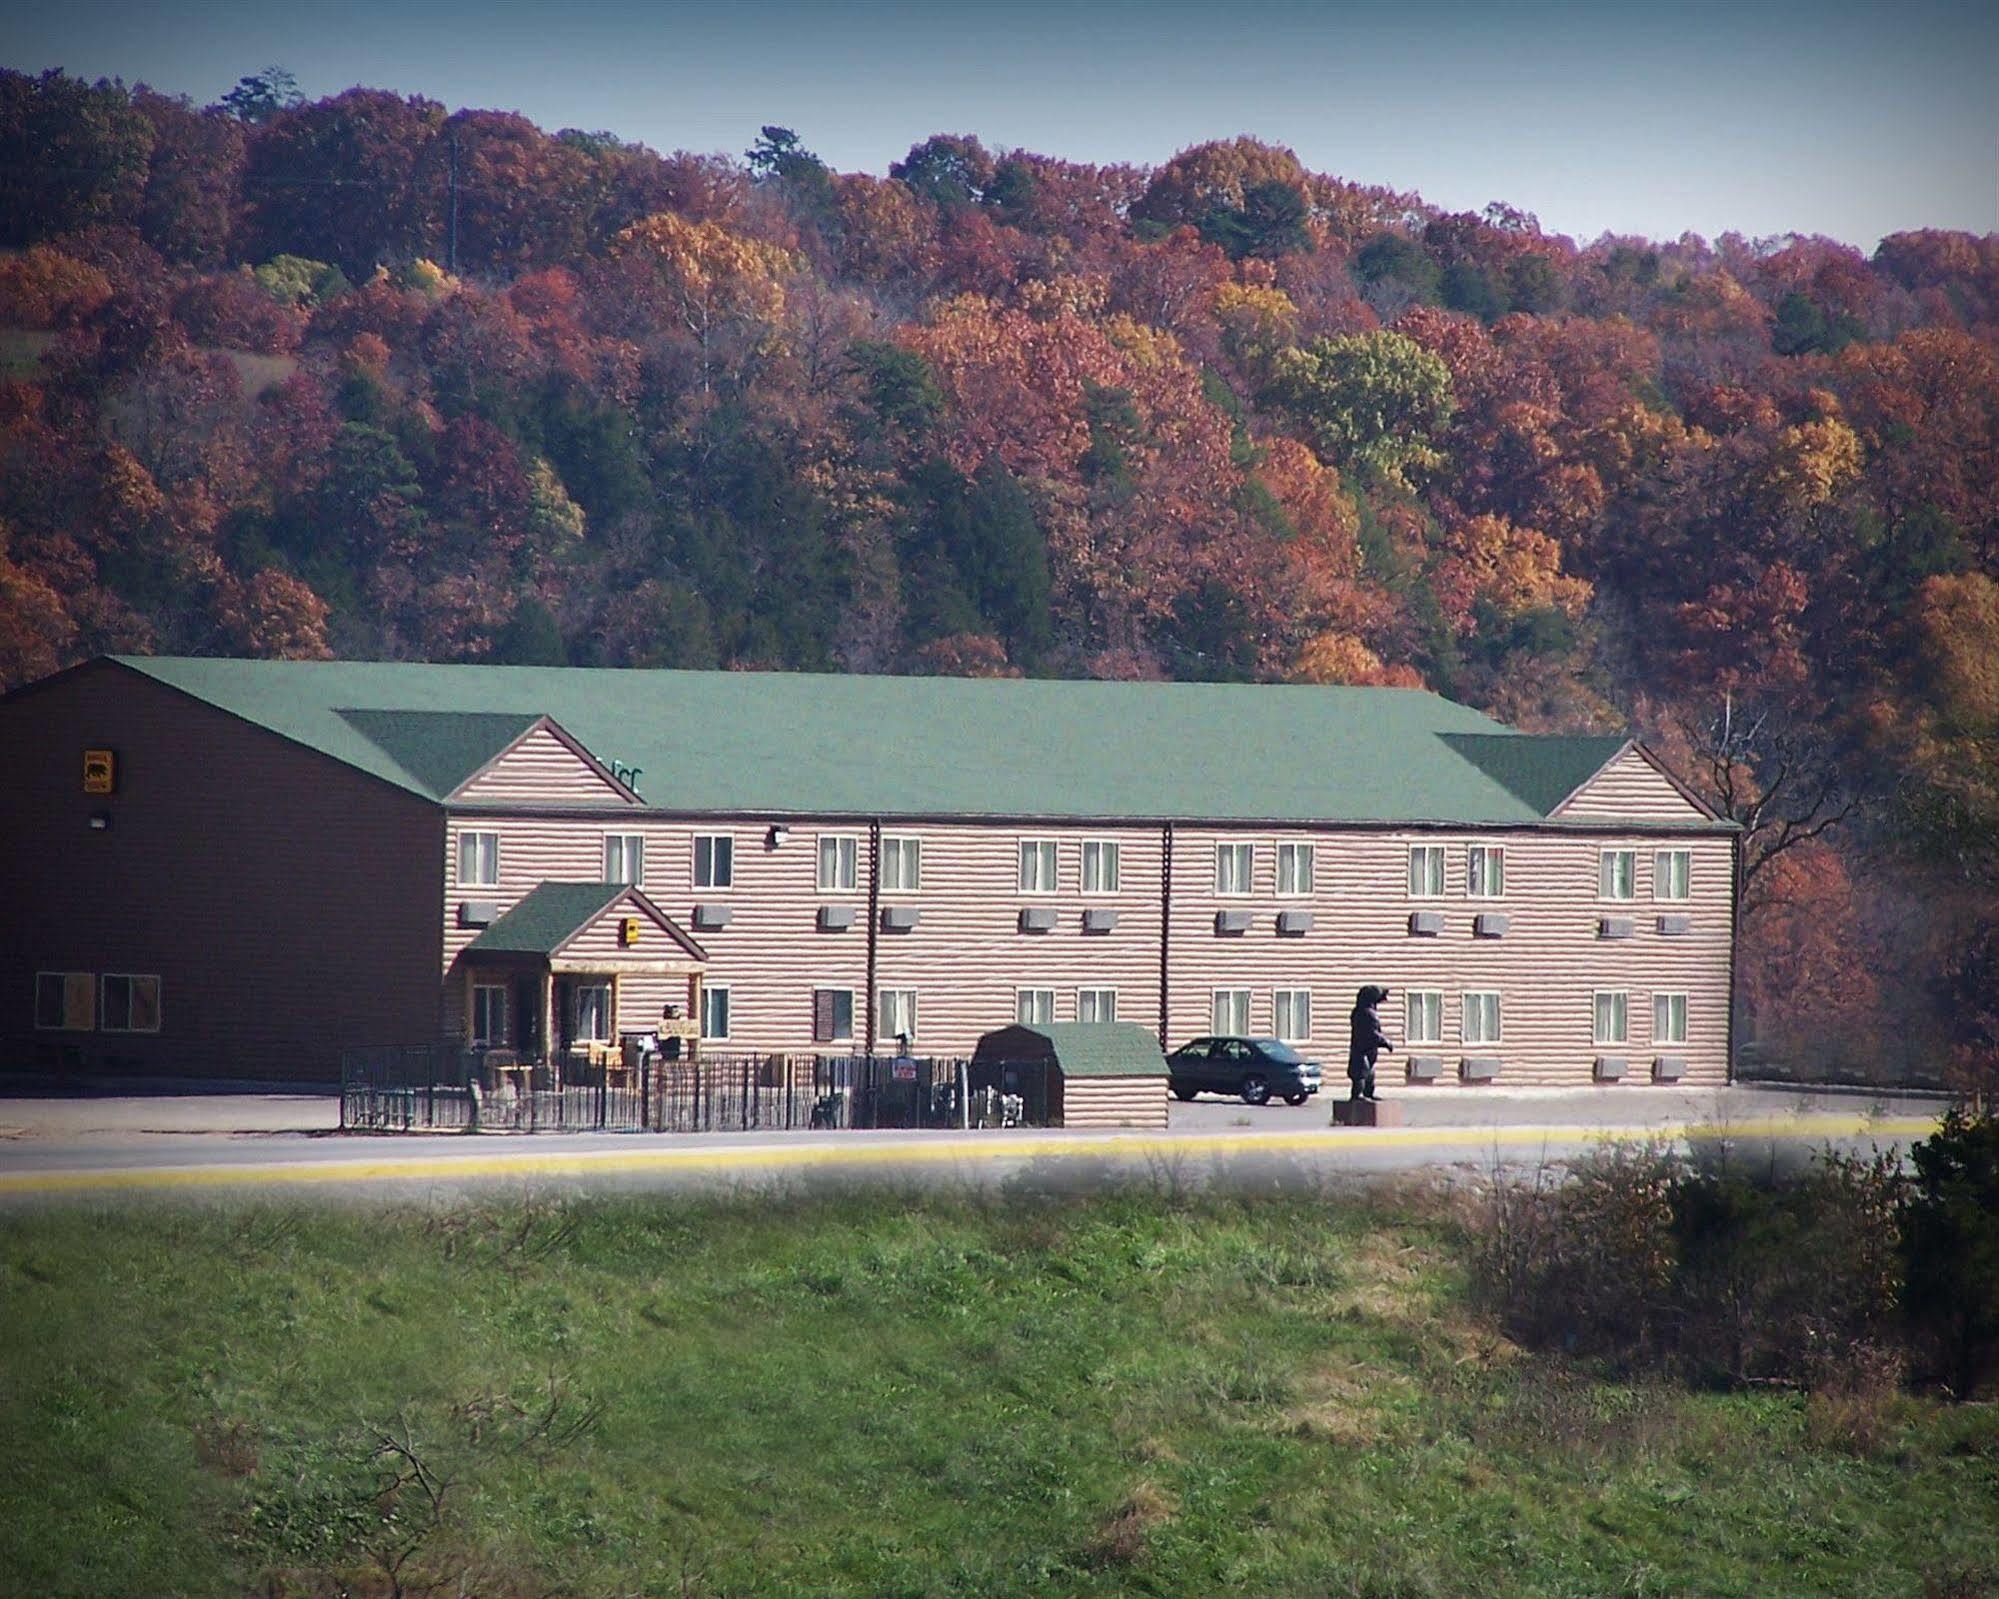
{"points": [[1762, 119]]}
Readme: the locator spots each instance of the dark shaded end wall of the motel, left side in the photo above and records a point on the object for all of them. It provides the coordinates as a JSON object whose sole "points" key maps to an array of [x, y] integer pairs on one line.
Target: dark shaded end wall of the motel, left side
{"points": [[285, 900]]}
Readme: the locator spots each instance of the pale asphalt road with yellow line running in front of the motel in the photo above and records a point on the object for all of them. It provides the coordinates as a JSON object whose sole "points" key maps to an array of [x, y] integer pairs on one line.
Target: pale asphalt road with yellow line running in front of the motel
{"points": [[263, 1144]]}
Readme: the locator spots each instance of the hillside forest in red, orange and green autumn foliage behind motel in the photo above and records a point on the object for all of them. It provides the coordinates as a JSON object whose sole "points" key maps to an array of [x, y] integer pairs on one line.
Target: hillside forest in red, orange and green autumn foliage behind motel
{"points": [[365, 379]]}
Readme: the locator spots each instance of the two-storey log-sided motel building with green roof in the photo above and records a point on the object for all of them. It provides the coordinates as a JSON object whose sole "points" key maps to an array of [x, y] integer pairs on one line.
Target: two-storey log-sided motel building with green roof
{"points": [[229, 868]]}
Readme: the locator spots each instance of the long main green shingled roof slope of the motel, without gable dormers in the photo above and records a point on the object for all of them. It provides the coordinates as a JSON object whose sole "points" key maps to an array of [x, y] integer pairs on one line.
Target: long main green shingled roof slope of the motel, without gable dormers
{"points": [[773, 745]]}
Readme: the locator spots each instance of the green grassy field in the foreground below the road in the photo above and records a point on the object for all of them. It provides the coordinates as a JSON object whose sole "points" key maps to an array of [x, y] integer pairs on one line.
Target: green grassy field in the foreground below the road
{"points": [[897, 1396]]}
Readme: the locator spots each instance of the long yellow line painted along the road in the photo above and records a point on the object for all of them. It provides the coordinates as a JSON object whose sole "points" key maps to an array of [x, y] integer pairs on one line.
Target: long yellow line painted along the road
{"points": [[769, 1158]]}
